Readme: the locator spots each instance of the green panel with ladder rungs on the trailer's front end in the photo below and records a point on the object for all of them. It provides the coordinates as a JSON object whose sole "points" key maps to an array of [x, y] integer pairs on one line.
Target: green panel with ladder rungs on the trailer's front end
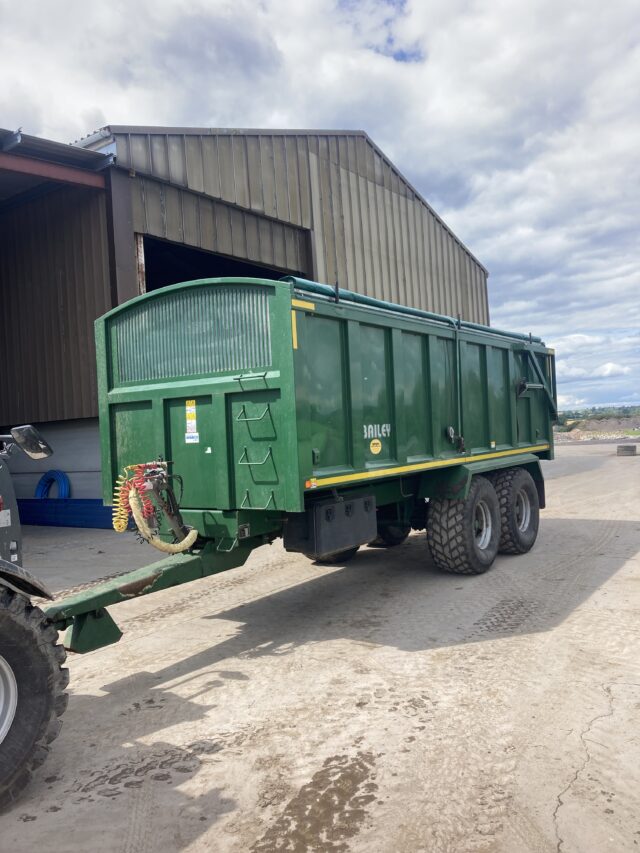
{"points": [[258, 459]]}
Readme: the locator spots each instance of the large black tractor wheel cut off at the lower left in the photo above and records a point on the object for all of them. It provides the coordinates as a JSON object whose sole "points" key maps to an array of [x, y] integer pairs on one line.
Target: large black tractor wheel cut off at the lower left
{"points": [[32, 691]]}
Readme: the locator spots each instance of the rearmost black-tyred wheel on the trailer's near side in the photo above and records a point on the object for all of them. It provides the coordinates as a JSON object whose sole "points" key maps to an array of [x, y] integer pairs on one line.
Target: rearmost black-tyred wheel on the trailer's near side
{"points": [[519, 510]]}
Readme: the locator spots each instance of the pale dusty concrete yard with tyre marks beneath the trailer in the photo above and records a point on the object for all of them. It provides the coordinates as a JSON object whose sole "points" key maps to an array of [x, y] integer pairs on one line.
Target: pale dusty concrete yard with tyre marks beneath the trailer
{"points": [[380, 706]]}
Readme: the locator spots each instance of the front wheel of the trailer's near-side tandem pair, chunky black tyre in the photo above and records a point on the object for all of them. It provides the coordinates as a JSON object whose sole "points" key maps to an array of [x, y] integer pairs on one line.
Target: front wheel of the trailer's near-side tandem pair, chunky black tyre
{"points": [[463, 536]]}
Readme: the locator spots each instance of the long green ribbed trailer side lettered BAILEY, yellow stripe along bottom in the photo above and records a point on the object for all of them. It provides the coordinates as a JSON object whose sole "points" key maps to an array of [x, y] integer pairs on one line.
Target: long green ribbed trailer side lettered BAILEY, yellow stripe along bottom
{"points": [[378, 394]]}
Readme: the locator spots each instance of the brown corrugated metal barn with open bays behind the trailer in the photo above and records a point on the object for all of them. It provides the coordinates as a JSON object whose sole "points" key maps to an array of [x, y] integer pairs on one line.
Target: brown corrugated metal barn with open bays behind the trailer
{"points": [[126, 210]]}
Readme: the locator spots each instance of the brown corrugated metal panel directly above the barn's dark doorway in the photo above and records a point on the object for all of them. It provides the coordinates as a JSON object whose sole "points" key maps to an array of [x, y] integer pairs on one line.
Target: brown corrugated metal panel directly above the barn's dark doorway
{"points": [[166, 211]]}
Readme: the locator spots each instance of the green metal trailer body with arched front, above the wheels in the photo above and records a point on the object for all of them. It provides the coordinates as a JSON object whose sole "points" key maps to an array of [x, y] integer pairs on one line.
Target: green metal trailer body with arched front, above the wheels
{"points": [[264, 394]]}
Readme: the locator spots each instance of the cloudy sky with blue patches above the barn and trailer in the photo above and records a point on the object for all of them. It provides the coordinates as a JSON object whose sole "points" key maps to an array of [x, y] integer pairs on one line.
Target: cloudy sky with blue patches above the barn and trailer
{"points": [[518, 122]]}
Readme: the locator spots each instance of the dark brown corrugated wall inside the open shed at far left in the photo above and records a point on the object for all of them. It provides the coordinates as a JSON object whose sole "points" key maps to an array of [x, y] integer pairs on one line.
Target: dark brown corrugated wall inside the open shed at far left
{"points": [[54, 281]]}
